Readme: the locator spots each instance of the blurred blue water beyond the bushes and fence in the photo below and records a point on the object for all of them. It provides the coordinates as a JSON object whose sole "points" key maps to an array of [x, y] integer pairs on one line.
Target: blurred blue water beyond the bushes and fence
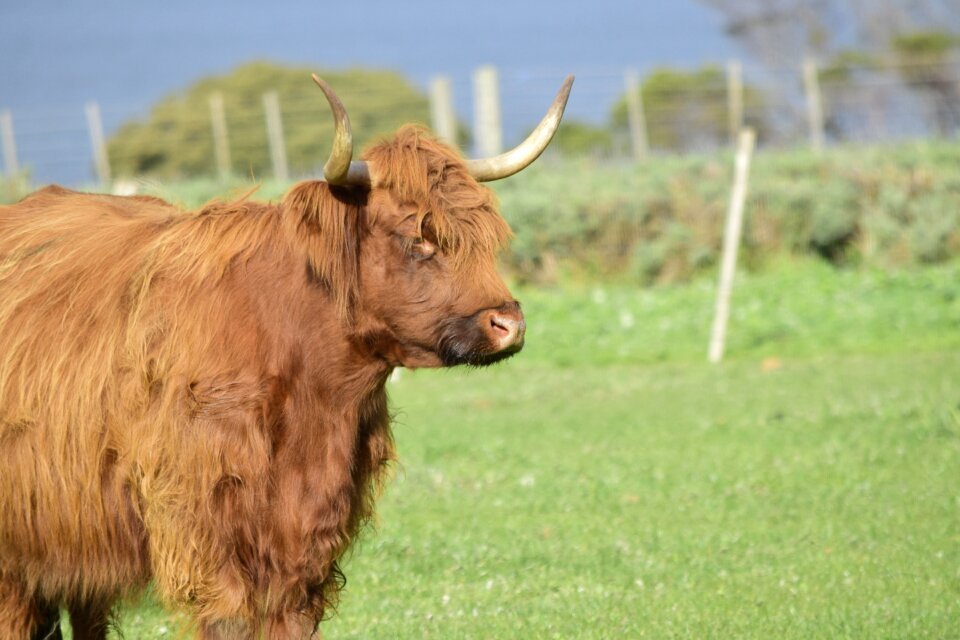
{"points": [[56, 56]]}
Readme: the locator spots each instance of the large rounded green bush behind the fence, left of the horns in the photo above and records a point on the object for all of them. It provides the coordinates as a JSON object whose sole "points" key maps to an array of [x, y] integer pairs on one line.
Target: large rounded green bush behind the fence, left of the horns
{"points": [[176, 139]]}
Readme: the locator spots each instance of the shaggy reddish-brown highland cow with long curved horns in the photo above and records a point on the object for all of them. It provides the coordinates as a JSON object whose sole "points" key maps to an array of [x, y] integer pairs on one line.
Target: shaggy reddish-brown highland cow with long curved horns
{"points": [[197, 398]]}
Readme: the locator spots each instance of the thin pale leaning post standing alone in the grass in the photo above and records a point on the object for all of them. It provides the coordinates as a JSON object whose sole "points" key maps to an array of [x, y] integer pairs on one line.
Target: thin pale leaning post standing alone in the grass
{"points": [[731, 242]]}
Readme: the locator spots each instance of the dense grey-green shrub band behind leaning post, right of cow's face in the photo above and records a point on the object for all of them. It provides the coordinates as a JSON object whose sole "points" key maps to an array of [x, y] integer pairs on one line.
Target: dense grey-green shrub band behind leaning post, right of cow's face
{"points": [[662, 220]]}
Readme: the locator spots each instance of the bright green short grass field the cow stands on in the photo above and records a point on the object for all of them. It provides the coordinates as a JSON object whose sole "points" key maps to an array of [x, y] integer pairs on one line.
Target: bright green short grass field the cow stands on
{"points": [[609, 483]]}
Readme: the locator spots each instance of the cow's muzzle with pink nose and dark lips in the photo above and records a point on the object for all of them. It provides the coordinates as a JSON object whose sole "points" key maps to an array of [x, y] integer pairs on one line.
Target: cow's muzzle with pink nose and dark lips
{"points": [[485, 337]]}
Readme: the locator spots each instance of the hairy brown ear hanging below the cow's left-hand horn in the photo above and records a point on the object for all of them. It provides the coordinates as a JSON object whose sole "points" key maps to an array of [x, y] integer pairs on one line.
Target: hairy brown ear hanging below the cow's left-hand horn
{"points": [[325, 220]]}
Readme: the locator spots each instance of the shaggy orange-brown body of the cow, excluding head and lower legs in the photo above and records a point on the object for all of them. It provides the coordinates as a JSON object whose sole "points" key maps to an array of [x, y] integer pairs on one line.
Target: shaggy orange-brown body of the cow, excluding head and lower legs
{"points": [[157, 394]]}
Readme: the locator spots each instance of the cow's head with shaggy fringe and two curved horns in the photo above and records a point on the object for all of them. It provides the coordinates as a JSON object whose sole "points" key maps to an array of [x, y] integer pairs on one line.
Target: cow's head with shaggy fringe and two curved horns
{"points": [[408, 241]]}
